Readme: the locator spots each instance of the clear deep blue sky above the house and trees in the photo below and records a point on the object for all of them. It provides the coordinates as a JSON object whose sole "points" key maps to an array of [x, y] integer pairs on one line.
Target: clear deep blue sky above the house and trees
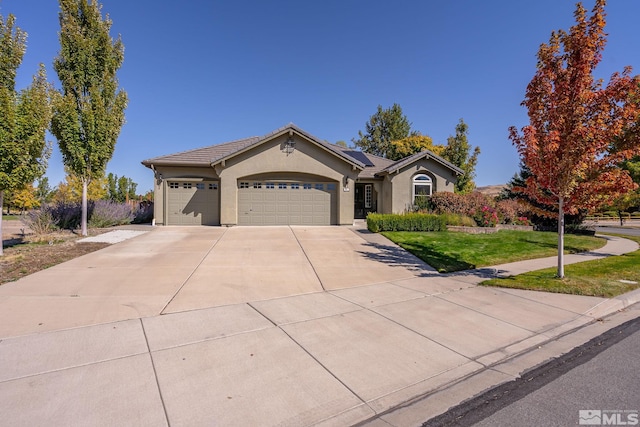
{"points": [[203, 72]]}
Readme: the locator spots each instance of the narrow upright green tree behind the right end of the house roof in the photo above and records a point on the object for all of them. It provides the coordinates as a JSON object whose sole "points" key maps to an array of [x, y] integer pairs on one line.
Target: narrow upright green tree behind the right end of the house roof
{"points": [[458, 152]]}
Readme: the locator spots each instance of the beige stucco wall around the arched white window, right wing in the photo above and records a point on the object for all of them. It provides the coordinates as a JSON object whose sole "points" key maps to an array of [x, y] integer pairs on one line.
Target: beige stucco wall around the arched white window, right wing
{"points": [[398, 186]]}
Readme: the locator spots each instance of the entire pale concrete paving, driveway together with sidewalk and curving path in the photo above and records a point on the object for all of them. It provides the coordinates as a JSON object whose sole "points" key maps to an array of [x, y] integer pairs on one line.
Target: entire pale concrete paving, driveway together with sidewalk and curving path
{"points": [[271, 326]]}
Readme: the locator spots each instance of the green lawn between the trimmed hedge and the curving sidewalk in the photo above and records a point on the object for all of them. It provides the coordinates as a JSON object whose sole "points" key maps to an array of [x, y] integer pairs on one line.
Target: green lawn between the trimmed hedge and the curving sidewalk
{"points": [[449, 251]]}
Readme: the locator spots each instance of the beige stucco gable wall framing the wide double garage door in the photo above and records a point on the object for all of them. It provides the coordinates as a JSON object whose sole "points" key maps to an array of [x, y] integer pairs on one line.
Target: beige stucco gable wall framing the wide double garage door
{"points": [[271, 158]]}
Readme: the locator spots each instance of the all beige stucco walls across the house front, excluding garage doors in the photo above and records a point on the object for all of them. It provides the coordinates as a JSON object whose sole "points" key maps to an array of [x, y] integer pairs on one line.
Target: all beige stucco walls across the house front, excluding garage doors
{"points": [[307, 161]]}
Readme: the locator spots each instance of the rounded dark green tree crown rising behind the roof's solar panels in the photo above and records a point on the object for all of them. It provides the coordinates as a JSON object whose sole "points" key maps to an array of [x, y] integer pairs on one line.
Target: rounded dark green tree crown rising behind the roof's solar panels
{"points": [[385, 126]]}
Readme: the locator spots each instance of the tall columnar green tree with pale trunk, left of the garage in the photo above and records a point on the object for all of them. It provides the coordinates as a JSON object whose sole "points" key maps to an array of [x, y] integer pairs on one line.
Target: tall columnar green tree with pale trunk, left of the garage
{"points": [[89, 111]]}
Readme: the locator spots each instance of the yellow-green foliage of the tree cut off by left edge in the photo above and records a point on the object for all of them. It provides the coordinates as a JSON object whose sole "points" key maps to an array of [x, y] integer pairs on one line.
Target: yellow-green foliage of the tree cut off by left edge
{"points": [[24, 116]]}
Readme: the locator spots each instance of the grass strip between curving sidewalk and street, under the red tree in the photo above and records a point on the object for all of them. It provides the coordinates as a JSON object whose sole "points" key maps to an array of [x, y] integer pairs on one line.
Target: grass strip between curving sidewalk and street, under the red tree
{"points": [[606, 277]]}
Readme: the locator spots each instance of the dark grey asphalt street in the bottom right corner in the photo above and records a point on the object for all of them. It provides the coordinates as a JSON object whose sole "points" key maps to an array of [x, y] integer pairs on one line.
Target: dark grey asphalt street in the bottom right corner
{"points": [[596, 383]]}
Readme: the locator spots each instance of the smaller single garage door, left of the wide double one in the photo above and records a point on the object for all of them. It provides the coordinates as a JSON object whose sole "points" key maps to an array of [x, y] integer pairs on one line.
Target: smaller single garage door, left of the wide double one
{"points": [[193, 203]]}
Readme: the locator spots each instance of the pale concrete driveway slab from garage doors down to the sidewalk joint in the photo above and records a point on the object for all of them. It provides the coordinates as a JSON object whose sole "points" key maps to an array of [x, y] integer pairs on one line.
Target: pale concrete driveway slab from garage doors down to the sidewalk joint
{"points": [[175, 269]]}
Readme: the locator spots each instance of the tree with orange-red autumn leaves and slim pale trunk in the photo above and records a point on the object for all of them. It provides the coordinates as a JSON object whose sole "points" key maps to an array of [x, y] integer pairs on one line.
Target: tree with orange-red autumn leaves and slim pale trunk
{"points": [[574, 120]]}
